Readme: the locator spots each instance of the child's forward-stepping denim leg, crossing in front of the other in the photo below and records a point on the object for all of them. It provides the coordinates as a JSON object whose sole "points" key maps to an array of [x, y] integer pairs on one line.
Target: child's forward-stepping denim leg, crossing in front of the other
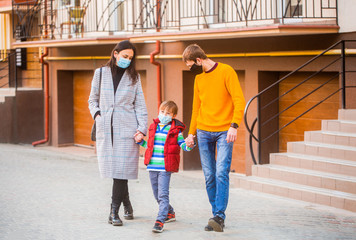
{"points": [[163, 195]]}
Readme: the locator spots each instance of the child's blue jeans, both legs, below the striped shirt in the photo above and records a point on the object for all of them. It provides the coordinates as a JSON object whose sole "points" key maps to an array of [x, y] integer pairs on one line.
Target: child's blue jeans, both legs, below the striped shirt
{"points": [[160, 187]]}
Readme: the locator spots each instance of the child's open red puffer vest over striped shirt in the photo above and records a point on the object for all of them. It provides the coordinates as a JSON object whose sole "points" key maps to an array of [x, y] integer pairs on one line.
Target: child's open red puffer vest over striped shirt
{"points": [[171, 147]]}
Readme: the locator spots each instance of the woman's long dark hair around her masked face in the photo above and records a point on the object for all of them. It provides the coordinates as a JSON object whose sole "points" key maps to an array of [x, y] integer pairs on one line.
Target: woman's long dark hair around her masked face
{"points": [[131, 70]]}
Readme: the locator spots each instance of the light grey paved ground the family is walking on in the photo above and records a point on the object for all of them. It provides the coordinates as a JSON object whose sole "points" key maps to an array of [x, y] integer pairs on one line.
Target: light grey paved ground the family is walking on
{"points": [[57, 193]]}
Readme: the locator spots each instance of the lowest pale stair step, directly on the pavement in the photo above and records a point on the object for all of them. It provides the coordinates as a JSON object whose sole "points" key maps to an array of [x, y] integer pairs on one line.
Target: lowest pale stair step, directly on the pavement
{"points": [[316, 195]]}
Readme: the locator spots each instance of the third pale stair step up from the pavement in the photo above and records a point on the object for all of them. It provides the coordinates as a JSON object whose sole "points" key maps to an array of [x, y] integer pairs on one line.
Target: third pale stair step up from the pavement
{"points": [[315, 163]]}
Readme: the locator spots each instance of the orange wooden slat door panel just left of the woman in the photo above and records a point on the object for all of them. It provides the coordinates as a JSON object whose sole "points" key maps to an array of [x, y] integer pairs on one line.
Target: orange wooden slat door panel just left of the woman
{"points": [[82, 117]]}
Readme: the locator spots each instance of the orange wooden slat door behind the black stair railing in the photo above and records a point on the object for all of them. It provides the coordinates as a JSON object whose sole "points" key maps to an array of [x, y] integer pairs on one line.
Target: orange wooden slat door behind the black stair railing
{"points": [[312, 120]]}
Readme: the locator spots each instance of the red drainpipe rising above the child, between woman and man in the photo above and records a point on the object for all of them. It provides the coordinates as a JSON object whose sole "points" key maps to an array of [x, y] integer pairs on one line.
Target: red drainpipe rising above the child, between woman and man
{"points": [[157, 51]]}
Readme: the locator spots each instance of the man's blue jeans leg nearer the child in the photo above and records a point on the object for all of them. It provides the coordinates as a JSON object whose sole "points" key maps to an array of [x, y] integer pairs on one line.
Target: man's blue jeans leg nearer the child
{"points": [[207, 147]]}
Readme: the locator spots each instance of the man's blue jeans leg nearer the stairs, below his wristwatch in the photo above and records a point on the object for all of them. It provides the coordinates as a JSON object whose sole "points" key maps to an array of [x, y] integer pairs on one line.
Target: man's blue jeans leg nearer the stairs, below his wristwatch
{"points": [[223, 164]]}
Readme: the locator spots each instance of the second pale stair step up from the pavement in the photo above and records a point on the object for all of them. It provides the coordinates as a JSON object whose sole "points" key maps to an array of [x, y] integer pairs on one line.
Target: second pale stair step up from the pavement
{"points": [[306, 177]]}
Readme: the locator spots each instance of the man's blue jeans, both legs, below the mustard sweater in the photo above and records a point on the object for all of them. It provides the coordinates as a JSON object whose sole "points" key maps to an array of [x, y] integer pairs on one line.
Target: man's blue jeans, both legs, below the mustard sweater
{"points": [[216, 171]]}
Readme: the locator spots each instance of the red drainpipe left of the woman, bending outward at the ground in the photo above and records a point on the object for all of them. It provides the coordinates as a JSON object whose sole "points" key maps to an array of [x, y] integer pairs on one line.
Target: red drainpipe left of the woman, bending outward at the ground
{"points": [[45, 68]]}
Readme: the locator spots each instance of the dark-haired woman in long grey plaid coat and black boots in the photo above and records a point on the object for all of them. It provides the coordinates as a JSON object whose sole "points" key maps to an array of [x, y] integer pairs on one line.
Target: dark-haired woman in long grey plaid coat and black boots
{"points": [[120, 112]]}
